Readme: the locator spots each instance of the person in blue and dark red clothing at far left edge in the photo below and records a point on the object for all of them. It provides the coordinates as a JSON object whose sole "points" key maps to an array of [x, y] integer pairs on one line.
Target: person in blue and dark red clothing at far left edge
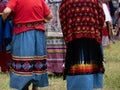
{"points": [[4, 53]]}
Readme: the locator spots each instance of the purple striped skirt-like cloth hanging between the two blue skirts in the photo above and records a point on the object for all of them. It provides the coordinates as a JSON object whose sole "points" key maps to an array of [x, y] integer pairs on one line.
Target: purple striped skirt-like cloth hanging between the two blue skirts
{"points": [[56, 50]]}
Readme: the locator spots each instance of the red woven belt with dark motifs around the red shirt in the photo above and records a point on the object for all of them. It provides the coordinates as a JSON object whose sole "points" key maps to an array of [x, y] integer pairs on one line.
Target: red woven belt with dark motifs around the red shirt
{"points": [[28, 25]]}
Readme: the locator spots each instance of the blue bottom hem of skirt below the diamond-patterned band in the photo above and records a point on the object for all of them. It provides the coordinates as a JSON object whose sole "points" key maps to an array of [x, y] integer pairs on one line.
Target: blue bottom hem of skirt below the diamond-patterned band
{"points": [[18, 81]]}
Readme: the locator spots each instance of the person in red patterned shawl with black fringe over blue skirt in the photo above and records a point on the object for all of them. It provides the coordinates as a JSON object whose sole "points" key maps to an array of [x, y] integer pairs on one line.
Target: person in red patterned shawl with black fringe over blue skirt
{"points": [[82, 23]]}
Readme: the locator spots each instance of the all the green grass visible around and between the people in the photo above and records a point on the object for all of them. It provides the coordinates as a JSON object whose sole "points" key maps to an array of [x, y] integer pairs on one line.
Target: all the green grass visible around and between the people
{"points": [[111, 76]]}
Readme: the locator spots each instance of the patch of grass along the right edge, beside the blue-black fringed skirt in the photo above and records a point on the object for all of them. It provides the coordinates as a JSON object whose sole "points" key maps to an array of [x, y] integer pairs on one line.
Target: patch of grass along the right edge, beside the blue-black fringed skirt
{"points": [[112, 73]]}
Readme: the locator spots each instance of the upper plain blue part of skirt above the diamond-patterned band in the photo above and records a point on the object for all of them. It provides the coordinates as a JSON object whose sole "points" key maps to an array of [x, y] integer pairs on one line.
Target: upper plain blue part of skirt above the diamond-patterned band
{"points": [[30, 43]]}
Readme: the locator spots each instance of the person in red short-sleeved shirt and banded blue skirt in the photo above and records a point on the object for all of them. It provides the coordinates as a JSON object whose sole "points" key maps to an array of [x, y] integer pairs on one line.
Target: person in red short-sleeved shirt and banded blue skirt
{"points": [[28, 64]]}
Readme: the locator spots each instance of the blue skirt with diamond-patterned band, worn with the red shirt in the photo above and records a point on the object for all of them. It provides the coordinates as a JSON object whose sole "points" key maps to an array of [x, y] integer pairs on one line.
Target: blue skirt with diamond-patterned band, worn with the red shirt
{"points": [[28, 59]]}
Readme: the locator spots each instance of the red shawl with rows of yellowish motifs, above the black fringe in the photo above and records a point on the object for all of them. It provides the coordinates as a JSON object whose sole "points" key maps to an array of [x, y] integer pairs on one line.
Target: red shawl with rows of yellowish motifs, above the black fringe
{"points": [[81, 18]]}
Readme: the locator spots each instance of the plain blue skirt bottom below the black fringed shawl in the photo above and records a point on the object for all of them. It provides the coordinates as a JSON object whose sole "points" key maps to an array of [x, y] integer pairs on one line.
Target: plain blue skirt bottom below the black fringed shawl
{"points": [[84, 82]]}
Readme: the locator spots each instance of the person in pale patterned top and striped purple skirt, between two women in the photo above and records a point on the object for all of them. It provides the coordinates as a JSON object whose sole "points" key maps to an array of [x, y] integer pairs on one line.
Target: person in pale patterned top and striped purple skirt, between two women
{"points": [[55, 43]]}
